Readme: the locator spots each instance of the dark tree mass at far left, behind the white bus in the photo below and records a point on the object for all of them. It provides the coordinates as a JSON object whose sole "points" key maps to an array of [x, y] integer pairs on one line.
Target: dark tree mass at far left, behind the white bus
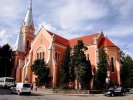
{"points": [[5, 61]]}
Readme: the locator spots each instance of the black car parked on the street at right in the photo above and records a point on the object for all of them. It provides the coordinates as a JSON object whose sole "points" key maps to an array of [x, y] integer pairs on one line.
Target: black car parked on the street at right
{"points": [[115, 91]]}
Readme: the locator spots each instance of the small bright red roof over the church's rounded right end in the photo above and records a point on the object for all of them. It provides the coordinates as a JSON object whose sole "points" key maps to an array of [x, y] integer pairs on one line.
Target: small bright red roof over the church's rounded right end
{"points": [[106, 42]]}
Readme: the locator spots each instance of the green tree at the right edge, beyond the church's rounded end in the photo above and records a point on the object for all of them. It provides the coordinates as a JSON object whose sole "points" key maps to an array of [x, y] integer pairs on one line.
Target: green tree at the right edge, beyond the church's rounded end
{"points": [[126, 71]]}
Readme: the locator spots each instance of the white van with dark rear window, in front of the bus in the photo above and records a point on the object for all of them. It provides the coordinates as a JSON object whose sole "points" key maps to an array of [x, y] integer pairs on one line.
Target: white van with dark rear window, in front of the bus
{"points": [[21, 88]]}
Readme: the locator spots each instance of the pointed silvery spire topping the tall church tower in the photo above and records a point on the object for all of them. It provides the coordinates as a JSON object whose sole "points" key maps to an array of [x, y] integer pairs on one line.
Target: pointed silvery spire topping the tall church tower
{"points": [[28, 19]]}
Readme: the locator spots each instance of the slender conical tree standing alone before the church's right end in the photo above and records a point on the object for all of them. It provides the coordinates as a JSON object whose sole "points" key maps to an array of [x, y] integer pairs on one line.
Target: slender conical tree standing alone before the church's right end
{"points": [[103, 67]]}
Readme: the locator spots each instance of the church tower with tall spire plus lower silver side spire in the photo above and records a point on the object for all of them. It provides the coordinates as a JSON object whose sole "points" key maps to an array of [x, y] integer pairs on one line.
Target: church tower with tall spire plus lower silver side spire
{"points": [[27, 30]]}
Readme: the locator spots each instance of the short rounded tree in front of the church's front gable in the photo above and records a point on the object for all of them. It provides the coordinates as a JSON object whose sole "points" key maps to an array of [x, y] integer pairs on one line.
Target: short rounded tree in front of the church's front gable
{"points": [[41, 70]]}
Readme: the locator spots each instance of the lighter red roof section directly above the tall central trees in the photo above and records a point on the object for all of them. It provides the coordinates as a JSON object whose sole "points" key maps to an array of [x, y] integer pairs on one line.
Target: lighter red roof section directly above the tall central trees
{"points": [[86, 39]]}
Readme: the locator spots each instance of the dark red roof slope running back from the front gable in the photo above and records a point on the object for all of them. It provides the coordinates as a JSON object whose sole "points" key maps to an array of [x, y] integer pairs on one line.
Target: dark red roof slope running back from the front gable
{"points": [[59, 39]]}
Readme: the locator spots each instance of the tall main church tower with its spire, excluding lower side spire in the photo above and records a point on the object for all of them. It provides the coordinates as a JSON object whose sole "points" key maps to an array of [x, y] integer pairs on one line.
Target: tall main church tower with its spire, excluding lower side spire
{"points": [[28, 29]]}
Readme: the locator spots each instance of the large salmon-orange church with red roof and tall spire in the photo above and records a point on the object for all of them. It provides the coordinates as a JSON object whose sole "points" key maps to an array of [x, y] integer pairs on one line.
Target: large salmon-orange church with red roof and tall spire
{"points": [[49, 46]]}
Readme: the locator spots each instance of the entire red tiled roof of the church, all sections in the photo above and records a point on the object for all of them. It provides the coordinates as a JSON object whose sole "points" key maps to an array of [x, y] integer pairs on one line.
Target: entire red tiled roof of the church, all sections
{"points": [[87, 40]]}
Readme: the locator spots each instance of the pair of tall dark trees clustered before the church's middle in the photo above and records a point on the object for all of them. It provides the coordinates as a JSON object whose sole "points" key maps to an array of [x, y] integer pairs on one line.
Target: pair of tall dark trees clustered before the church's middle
{"points": [[75, 66]]}
